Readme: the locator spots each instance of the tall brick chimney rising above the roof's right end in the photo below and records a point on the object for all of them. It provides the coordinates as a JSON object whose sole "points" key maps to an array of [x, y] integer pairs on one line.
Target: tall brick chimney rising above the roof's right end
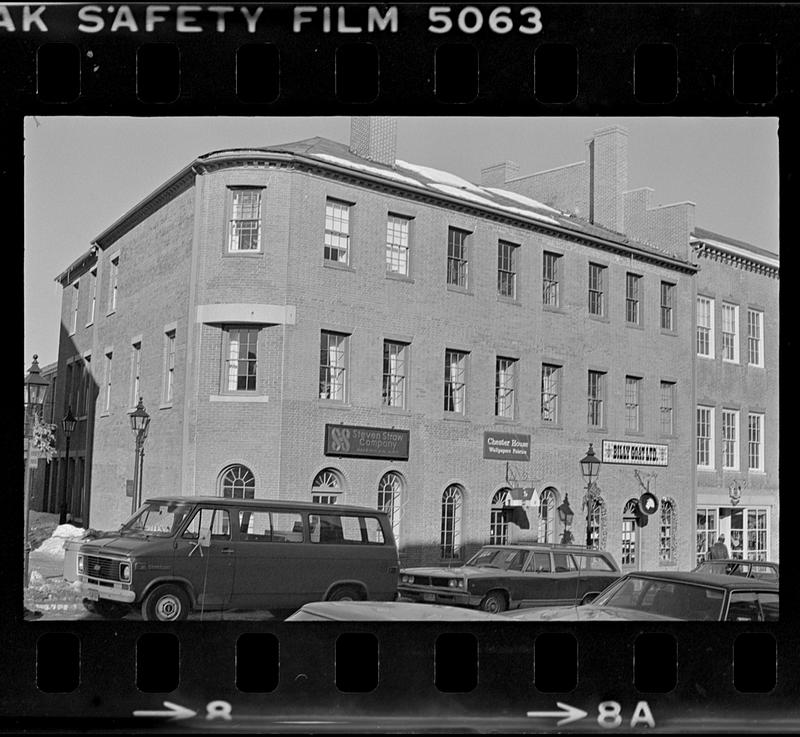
{"points": [[607, 158]]}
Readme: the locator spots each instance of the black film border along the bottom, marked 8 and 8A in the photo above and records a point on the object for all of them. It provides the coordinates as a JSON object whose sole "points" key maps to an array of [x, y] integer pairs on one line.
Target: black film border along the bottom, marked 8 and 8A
{"points": [[523, 677]]}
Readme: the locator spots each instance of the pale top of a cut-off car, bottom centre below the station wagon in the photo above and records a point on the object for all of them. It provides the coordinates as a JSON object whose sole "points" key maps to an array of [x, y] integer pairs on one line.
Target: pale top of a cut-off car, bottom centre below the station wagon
{"points": [[394, 611]]}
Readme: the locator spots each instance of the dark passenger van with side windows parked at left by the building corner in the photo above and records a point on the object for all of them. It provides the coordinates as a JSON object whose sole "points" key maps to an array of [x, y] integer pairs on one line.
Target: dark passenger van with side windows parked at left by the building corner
{"points": [[181, 554]]}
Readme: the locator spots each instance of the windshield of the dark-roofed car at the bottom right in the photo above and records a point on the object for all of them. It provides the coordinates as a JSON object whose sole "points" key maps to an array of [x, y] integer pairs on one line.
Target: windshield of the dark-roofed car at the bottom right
{"points": [[663, 597]]}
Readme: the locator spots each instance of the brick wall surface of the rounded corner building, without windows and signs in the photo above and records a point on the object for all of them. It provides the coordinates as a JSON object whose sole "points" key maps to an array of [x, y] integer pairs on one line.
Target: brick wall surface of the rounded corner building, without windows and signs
{"points": [[176, 273]]}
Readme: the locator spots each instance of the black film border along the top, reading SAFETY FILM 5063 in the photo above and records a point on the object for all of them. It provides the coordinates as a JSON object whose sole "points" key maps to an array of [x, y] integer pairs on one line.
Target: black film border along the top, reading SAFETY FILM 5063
{"points": [[455, 58]]}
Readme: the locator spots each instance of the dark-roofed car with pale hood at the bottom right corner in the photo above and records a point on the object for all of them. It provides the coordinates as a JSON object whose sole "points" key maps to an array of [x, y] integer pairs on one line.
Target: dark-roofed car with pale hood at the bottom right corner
{"points": [[684, 596]]}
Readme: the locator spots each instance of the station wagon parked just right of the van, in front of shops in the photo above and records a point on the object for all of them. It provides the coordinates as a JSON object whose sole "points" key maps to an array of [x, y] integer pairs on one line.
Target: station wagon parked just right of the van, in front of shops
{"points": [[500, 577]]}
